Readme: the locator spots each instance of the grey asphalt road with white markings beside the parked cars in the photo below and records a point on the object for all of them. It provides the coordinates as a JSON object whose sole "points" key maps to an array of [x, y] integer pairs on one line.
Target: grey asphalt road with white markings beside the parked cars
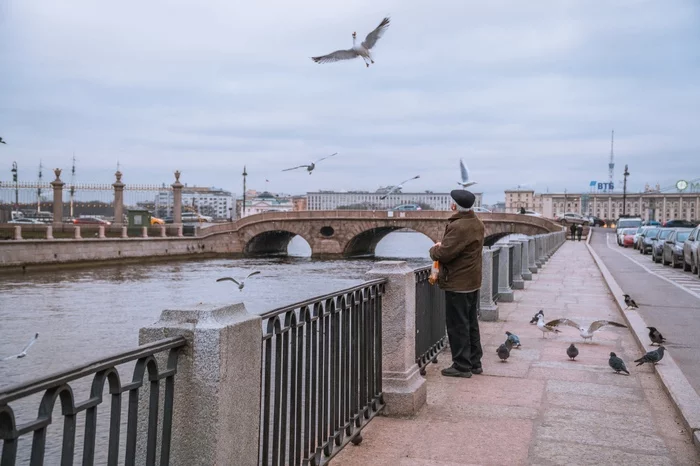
{"points": [[668, 299]]}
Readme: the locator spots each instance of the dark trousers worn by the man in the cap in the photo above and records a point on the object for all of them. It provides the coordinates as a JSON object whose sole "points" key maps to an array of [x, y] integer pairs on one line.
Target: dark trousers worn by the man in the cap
{"points": [[463, 329]]}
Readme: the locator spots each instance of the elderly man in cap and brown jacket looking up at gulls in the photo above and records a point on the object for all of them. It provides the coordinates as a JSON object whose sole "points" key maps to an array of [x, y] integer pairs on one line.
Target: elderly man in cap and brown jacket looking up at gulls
{"points": [[460, 254]]}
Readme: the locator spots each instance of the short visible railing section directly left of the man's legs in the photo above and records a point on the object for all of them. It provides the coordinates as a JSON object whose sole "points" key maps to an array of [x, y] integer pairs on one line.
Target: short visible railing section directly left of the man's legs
{"points": [[431, 333]]}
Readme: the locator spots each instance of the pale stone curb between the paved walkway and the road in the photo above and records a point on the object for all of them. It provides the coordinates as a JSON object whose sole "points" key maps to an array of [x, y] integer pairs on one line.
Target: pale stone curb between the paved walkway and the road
{"points": [[676, 385]]}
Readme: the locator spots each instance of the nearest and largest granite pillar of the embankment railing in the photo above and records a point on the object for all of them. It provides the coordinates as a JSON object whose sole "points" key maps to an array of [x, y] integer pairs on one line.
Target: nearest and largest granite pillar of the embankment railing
{"points": [[216, 414]]}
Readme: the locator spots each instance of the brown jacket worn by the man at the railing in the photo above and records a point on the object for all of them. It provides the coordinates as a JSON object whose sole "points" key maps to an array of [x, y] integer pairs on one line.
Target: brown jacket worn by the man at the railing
{"points": [[460, 253]]}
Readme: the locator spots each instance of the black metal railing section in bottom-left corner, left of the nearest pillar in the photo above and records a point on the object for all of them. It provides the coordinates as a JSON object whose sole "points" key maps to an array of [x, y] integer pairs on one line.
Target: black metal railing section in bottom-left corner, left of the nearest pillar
{"points": [[57, 386]]}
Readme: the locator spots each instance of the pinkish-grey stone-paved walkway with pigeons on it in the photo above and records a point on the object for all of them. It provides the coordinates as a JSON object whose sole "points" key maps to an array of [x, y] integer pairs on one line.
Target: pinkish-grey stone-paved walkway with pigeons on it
{"points": [[539, 407]]}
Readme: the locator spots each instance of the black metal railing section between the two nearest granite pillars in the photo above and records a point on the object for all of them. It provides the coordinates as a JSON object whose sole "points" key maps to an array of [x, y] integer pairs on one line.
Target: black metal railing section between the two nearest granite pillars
{"points": [[321, 375]]}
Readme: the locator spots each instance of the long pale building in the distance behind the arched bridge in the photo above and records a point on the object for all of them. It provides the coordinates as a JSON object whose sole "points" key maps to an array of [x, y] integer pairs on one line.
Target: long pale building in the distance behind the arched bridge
{"points": [[365, 200]]}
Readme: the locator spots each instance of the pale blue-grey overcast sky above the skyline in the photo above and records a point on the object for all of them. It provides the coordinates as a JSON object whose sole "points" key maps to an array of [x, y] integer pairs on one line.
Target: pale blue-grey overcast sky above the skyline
{"points": [[527, 93]]}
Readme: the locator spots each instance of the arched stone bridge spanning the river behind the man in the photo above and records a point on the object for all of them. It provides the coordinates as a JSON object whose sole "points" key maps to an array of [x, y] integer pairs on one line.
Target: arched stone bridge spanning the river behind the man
{"points": [[345, 233]]}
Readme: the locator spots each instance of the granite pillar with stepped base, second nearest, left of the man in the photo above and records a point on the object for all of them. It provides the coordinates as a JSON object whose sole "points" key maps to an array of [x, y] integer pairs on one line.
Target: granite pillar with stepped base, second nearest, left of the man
{"points": [[404, 389]]}
